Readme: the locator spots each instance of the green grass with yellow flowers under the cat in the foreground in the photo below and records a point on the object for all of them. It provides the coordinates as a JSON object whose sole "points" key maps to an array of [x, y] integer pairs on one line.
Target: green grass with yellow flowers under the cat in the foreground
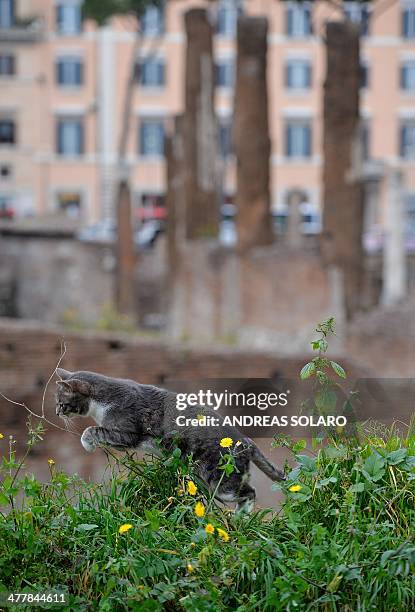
{"points": [[343, 541]]}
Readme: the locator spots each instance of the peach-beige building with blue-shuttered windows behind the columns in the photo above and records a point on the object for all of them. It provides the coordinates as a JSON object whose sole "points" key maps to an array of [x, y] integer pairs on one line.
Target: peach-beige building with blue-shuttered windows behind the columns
{"points": [[63, 84]]}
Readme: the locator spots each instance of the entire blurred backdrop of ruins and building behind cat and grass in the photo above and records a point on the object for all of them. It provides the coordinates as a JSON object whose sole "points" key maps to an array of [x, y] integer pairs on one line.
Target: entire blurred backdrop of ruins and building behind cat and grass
{"points": [[187, 188]]}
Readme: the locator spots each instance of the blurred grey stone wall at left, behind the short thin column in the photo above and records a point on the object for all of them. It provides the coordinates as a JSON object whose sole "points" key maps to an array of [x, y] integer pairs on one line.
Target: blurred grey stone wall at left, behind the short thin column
{"points": [[50, 275]]}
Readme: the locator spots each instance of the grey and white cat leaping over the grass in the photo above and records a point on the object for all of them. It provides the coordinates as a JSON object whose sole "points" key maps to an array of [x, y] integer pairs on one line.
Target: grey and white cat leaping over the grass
{"points": [[130, 415]]}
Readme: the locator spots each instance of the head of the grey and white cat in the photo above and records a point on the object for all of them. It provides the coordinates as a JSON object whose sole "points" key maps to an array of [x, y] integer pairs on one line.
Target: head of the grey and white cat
{"points": [[73, 394]]}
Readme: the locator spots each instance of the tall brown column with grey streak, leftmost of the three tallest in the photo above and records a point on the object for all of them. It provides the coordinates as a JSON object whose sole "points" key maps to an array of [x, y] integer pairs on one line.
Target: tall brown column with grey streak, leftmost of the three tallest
{"points": [[200, 128]]}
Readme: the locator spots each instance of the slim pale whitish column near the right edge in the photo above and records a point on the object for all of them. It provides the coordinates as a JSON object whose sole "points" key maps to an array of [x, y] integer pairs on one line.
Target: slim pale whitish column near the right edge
{"points": [[394, 255]]}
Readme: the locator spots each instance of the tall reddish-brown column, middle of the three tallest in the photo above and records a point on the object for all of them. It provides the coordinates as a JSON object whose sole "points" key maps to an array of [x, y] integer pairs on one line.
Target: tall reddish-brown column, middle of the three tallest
{"points": [[251, 134]]}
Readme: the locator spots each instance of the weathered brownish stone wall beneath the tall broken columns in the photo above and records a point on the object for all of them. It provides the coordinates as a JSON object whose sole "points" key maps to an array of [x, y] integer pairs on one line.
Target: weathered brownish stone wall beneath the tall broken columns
{"points": [[270, 297]]}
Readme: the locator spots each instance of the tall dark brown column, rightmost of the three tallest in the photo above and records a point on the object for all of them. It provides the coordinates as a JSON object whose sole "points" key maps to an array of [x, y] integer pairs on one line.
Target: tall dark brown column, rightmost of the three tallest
{"points": [[343, 189]]}
